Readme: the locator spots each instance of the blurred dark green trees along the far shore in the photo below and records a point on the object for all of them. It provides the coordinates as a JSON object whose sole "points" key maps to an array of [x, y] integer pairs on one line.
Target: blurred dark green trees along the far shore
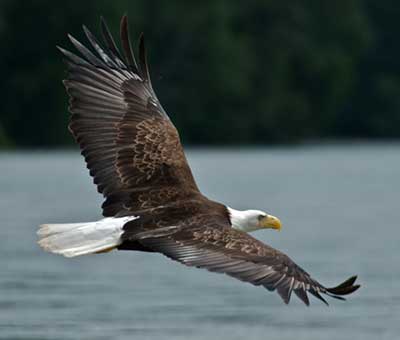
{"points": [[226, 72]]}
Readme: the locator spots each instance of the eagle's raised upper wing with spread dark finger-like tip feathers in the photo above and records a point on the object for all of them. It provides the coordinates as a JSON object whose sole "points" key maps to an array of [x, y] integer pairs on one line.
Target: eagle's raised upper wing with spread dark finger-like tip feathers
{"points": [[132, 149]]}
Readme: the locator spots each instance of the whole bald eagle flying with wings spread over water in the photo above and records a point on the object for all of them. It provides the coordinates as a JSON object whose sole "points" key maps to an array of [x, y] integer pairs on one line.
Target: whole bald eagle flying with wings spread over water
{"points": [[152, 202]]}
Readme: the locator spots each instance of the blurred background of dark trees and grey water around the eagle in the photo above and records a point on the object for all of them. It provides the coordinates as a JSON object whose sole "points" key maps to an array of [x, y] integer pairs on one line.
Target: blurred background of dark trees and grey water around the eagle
{"points": [[292, 107]]}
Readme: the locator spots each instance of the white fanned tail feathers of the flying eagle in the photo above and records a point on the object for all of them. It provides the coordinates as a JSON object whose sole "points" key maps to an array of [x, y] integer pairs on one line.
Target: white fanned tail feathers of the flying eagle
{"points": [[74, 239]]}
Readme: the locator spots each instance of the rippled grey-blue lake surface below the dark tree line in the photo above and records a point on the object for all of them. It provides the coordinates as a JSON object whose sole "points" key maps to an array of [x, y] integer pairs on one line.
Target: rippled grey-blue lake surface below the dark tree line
{"points": [[340, 206]]}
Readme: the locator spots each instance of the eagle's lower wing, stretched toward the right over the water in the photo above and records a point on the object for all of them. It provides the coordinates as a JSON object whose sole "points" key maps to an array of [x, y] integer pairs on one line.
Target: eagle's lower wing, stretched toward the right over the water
{"points": [[219, 248]]}
